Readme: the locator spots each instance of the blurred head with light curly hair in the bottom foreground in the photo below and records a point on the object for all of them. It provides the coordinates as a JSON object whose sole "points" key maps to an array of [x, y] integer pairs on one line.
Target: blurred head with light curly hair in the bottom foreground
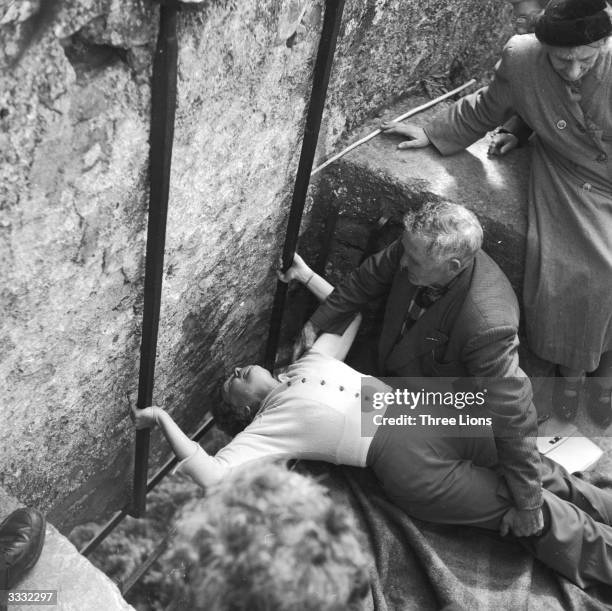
{"points": [[267, 538]]}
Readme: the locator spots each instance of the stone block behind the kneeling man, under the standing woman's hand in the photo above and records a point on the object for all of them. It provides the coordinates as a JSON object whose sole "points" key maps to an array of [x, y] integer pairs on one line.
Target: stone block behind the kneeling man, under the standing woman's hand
{"points": [[379, 176]]}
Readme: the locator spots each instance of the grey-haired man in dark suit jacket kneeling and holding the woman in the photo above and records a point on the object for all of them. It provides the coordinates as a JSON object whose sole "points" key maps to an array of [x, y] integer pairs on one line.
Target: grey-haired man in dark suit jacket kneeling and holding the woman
{"points": [[450, 312]]}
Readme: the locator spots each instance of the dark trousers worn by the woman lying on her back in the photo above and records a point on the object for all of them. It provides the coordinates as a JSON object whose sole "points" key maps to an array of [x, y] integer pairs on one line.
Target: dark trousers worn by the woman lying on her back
{"points": [[458, 481]]}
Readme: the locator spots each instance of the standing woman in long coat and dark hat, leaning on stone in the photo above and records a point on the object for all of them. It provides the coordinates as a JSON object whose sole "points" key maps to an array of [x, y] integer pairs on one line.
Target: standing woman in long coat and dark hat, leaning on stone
{"points": [[560, 82]]}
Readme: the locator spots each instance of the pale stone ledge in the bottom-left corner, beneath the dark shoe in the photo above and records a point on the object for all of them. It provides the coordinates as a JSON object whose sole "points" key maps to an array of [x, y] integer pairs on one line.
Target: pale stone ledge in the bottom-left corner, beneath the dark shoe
{"points": [[80, 586]]}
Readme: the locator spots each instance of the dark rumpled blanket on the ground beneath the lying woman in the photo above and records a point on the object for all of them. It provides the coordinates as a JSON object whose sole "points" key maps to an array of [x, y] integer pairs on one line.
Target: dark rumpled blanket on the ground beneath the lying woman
{"points": [[424, 566]]}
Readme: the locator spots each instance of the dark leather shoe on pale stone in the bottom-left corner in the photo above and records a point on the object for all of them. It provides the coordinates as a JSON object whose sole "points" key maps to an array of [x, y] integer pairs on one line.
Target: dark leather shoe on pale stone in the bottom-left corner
{"points": [[22, 535]]}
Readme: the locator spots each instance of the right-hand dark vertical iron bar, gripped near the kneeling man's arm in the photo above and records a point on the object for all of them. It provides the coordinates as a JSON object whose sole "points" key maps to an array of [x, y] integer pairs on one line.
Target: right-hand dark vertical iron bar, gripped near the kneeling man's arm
{"points": [[322, 69]]}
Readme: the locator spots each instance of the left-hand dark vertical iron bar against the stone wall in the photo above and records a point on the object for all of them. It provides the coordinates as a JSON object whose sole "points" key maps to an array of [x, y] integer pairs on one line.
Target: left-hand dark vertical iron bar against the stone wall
{"points": [[163, 105]]}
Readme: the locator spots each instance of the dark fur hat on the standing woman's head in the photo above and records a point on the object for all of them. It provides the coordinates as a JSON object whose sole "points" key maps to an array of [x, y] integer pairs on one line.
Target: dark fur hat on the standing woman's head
{"points": [[573, 23]]}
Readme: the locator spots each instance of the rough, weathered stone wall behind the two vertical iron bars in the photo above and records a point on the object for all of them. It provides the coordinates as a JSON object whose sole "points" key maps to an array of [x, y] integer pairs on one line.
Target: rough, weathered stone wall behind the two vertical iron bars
{"points": [[73, 195]]}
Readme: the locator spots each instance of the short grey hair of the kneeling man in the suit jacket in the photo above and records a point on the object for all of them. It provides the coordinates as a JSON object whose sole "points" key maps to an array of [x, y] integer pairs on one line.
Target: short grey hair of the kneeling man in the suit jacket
{"points": [[453, 231]]}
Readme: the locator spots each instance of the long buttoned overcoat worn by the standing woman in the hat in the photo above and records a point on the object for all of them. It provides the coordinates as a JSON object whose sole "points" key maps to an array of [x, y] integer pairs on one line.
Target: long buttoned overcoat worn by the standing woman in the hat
{"points": [[568, 273]]}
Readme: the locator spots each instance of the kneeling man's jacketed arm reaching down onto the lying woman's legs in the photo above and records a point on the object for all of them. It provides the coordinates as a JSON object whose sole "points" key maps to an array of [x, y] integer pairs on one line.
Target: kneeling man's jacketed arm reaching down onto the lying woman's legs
{"points": [[494, 355]]}
